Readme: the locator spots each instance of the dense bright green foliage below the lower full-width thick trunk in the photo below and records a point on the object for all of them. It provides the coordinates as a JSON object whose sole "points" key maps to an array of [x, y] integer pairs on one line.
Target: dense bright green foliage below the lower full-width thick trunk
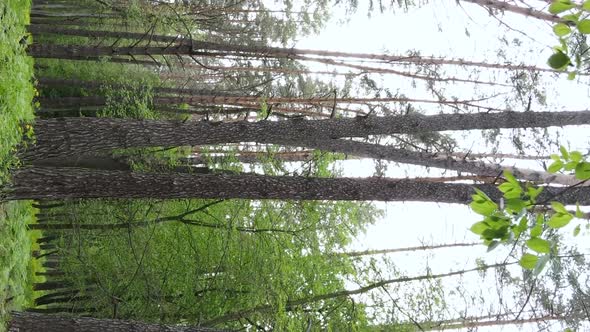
{"points": [[205, 262]]}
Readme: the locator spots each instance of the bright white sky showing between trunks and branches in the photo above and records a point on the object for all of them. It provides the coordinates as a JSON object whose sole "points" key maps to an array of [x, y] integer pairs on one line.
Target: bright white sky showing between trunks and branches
{"points": [[442, 28]]}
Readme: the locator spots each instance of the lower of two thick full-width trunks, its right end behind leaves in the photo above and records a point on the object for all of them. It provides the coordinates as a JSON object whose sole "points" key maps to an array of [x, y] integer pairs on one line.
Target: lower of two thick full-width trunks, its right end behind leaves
{"points": [[65, 183]]}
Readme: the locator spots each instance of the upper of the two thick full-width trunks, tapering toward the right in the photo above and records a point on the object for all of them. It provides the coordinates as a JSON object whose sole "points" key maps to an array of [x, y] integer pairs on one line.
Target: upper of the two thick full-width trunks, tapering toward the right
{"points": [[78, 136]]}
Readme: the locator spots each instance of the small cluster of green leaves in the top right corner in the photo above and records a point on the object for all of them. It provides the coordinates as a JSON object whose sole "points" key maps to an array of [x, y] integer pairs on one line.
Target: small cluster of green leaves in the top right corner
{"points": [[574, 18]]}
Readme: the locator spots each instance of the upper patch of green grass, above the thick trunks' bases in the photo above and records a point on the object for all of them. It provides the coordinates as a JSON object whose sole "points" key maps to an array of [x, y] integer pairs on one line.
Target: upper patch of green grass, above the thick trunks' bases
{"points": [[16, 89]]}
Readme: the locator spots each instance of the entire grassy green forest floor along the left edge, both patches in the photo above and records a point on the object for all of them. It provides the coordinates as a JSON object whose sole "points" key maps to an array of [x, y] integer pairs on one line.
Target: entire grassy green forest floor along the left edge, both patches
{"points": [[16, 95]]}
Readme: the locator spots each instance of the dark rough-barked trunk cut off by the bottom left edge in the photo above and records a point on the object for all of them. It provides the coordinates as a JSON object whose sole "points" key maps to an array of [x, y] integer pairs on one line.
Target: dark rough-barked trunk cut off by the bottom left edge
{"points": [[35, 322]]}
